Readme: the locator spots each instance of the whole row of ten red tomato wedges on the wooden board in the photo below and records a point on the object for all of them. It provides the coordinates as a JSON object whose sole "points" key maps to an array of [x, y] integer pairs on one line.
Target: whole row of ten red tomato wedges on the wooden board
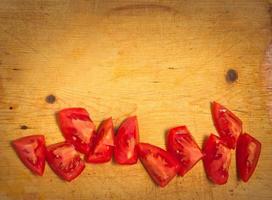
{"points": [[162, 165]]}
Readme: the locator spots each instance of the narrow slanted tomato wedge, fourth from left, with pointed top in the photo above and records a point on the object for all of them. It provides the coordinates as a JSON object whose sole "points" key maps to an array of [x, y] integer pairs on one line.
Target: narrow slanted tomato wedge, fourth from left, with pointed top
{"points": [[103, 143]]}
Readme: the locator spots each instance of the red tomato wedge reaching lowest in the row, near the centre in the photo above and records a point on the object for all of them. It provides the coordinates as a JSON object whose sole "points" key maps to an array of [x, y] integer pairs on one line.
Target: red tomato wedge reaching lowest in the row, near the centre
{"points": [[160, 164]]}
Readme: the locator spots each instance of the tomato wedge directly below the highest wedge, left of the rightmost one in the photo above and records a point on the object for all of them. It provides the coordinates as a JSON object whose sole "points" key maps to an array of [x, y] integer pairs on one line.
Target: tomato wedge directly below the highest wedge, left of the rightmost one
{"points": [[216, 160]]}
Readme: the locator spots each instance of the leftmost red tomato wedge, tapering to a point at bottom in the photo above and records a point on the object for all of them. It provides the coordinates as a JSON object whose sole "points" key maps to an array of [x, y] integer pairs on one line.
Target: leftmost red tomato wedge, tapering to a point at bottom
{"points": [[31, 151]]}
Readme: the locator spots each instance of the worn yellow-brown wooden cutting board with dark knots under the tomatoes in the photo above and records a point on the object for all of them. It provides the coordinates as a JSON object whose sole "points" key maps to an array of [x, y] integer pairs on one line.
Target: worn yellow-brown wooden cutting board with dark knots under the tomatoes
{"points": [[163, 61]]}
